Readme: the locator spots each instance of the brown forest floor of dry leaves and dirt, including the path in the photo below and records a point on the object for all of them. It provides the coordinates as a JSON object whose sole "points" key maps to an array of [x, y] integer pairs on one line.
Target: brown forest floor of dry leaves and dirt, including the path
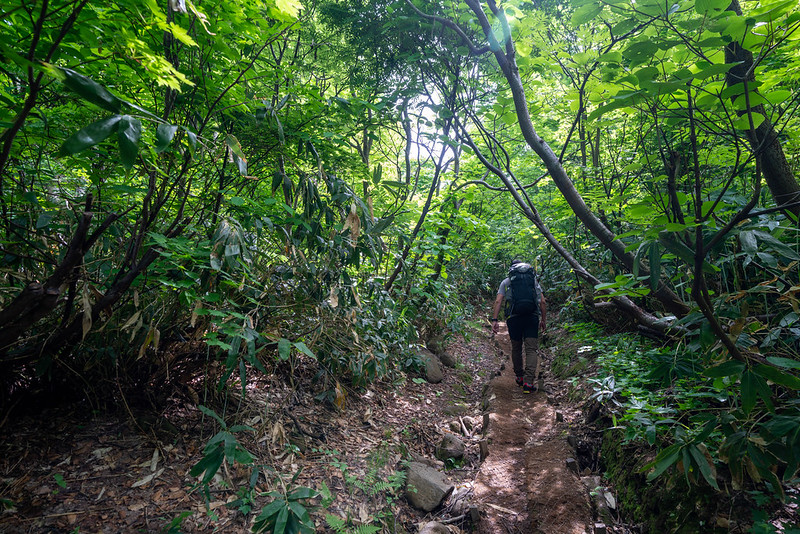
{"points": [[67, 469]]}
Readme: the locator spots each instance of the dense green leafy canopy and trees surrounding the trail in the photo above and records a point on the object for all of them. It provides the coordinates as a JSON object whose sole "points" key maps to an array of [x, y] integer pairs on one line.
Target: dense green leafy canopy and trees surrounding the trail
{"points": [[326, 182]]}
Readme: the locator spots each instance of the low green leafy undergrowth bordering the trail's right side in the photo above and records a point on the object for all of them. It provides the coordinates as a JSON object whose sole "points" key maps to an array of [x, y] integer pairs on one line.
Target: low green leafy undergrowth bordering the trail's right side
{"points": [[720, 428]]}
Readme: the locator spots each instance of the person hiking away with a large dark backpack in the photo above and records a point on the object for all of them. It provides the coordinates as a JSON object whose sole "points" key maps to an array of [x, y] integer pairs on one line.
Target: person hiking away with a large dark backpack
{"points": [[526, 313]]}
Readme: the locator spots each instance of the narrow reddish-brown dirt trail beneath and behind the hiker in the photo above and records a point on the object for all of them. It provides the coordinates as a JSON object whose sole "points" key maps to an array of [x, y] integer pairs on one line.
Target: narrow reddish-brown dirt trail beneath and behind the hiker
{"points": [[524, 483]]}
